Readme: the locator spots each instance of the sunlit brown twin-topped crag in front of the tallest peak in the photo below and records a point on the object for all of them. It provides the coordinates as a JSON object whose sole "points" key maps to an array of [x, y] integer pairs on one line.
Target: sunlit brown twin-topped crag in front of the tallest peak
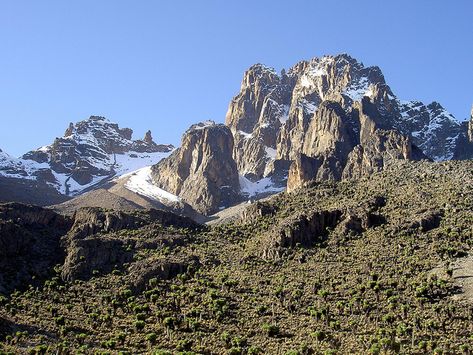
{"points": [[333, 150]]}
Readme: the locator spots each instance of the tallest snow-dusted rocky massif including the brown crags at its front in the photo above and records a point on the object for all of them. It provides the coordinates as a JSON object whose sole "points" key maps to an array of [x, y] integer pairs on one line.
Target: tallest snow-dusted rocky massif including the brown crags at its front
{"points": [[340, 115]]}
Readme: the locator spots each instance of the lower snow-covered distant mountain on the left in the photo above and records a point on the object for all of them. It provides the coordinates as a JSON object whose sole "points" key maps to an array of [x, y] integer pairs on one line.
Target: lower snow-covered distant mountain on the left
{"points": [[90, 154]]}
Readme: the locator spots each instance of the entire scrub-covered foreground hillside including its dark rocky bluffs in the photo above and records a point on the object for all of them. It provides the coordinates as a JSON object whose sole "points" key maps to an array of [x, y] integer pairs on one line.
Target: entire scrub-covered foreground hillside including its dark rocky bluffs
{"points": [[357, 266]]}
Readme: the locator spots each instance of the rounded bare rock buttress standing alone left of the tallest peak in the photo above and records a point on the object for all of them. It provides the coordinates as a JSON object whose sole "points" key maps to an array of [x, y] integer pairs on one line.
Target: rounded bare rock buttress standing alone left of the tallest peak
{"points": [[202, 171]]}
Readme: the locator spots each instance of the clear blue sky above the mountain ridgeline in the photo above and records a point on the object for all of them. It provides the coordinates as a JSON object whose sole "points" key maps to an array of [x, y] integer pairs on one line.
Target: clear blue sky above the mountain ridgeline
{"points": [[162, 65]]}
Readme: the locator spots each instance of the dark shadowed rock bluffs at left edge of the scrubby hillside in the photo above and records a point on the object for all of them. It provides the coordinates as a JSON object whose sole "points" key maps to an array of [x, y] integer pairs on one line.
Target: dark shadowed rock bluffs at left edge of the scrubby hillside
{"points": [[33, 240]]}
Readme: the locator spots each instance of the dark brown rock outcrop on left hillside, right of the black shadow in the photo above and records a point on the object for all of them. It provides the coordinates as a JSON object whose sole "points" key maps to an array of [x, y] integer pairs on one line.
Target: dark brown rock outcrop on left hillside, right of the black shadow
{"points": [[92, 246]]}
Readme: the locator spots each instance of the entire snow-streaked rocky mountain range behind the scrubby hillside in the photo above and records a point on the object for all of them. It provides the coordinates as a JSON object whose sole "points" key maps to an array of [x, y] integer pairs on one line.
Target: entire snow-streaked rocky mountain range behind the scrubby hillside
{"points": [[328, 118]]}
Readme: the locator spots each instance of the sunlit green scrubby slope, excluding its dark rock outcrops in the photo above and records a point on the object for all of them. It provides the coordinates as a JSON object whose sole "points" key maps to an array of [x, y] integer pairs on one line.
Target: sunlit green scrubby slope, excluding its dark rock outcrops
{"points": [[373, 292]]}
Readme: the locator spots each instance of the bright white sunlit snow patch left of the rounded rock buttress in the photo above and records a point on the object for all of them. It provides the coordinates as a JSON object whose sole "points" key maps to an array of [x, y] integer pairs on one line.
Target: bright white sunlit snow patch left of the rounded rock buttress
{"points": [[141, 182]]}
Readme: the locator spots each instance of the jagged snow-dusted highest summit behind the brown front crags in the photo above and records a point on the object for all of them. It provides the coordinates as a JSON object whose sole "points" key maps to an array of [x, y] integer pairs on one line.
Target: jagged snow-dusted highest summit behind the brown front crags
{"points": [[272, 113]]}
